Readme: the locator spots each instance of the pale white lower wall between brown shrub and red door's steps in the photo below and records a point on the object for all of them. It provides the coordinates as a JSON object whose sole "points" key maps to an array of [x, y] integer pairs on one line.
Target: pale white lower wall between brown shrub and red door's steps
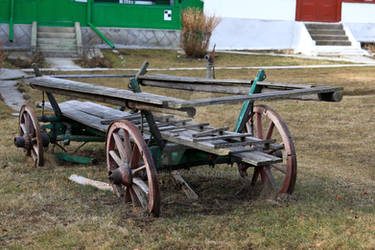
{"points": [[241, 34]]}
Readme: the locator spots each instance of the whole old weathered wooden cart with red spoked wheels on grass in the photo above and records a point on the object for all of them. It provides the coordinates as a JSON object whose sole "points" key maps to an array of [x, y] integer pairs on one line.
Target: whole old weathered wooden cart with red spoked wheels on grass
{"points": [[140, 143]]}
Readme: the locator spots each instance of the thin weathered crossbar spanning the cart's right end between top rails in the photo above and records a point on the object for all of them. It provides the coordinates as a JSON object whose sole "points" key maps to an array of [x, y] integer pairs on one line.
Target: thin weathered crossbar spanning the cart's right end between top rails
{"points": [[261, 96]]}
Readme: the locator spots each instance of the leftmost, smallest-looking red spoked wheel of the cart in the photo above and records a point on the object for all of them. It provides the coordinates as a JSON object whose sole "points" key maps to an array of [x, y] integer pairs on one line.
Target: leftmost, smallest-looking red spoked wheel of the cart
{"points": [[30, 134]]}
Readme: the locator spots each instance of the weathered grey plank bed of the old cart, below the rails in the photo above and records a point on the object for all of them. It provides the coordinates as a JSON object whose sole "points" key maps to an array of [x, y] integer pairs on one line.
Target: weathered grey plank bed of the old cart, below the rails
{"points": [[218, 141]]}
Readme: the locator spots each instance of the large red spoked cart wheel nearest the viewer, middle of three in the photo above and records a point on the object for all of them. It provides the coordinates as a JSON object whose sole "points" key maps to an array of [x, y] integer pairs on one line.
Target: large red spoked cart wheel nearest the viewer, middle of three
{"points": [[131, 168]]}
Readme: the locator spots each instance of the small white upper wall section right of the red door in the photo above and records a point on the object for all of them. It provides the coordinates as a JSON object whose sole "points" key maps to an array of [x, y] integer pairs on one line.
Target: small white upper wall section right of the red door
{"points": [[358, 13]]}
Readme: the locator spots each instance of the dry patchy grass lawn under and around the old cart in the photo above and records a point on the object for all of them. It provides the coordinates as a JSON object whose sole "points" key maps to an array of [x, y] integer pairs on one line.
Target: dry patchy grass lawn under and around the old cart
{"points": [[332, 206]]}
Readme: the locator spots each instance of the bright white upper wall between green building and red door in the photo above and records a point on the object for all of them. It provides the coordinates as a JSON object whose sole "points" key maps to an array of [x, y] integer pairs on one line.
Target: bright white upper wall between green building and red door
{"points": [[254, 9]]}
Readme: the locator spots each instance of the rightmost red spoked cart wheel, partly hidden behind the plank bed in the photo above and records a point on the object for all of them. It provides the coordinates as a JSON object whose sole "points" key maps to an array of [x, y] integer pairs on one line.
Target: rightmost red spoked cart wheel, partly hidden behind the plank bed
{"points": [[267, 124]]}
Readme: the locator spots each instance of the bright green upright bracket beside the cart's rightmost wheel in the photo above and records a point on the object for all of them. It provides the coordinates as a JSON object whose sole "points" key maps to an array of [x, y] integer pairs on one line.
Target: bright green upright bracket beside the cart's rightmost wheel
{"points": [[248, 105]]}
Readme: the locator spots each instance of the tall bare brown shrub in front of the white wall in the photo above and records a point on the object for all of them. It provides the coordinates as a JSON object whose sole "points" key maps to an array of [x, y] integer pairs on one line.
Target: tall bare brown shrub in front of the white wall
{"points": [[196, 31]]}
